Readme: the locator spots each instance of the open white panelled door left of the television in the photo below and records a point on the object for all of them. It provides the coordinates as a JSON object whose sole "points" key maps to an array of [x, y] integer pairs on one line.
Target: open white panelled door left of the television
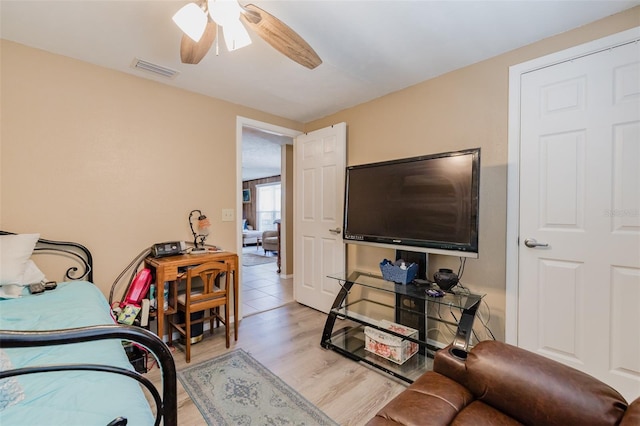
{"points": [[320, 161]]}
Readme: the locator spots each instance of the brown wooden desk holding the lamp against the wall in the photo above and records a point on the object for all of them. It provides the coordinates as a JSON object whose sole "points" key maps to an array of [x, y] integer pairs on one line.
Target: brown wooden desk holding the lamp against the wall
{"points": [[166, 269]]}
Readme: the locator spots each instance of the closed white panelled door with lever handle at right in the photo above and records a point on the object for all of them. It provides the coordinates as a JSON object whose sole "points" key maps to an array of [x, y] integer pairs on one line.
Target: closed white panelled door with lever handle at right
{"points": [[579, 236]]}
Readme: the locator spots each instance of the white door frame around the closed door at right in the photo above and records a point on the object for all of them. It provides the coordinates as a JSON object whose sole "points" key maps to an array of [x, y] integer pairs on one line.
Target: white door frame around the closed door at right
{"points": [[513, 162]]}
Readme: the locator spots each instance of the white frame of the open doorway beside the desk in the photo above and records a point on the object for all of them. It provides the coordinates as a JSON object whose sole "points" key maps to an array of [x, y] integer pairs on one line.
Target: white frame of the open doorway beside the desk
{"points": [[248, 122]]}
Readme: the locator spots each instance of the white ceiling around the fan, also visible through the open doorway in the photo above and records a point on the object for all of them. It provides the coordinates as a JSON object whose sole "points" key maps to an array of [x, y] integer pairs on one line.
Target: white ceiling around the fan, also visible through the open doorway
{"points": [[368, 48]]}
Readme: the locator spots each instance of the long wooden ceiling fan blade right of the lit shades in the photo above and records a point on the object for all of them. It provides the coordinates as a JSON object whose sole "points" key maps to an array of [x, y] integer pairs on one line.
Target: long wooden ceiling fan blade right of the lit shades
{"points": [[280, 36]]}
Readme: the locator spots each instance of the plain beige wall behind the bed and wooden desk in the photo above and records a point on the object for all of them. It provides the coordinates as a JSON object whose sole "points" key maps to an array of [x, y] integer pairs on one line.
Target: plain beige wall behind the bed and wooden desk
{"points": [[112, 160]]}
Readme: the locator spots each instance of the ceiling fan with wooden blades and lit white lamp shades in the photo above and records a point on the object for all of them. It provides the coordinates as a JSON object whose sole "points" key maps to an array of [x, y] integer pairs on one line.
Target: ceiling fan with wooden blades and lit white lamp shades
{"points": [[201, 22]]}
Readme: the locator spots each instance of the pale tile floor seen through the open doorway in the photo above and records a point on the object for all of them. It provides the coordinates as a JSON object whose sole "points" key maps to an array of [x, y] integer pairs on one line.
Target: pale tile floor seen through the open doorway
{"points": [[262, 287]]}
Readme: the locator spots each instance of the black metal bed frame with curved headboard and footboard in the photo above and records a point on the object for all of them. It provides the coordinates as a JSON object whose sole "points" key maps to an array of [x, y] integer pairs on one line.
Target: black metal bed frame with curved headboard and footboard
{"points": [[166, 401]]}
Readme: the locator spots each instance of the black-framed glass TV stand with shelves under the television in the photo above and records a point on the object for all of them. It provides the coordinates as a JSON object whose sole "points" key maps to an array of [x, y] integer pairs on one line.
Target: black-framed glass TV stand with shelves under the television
{"points": [[366, 300]]}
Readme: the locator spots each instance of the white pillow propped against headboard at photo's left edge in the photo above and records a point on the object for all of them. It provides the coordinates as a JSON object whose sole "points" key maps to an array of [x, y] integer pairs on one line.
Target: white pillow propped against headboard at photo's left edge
{"points": [[15, 251]]}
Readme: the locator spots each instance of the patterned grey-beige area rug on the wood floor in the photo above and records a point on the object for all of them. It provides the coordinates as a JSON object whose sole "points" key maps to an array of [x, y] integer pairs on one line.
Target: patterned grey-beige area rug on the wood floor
{"points": [[235, 389]]}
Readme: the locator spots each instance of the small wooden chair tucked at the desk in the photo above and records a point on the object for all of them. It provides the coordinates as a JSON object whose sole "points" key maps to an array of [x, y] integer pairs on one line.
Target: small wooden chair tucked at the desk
{"points": [[216, 280]]}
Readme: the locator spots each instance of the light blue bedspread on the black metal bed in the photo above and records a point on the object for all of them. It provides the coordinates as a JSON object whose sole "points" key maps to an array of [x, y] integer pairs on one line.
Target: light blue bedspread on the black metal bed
{"points": [[70, 398]]}
